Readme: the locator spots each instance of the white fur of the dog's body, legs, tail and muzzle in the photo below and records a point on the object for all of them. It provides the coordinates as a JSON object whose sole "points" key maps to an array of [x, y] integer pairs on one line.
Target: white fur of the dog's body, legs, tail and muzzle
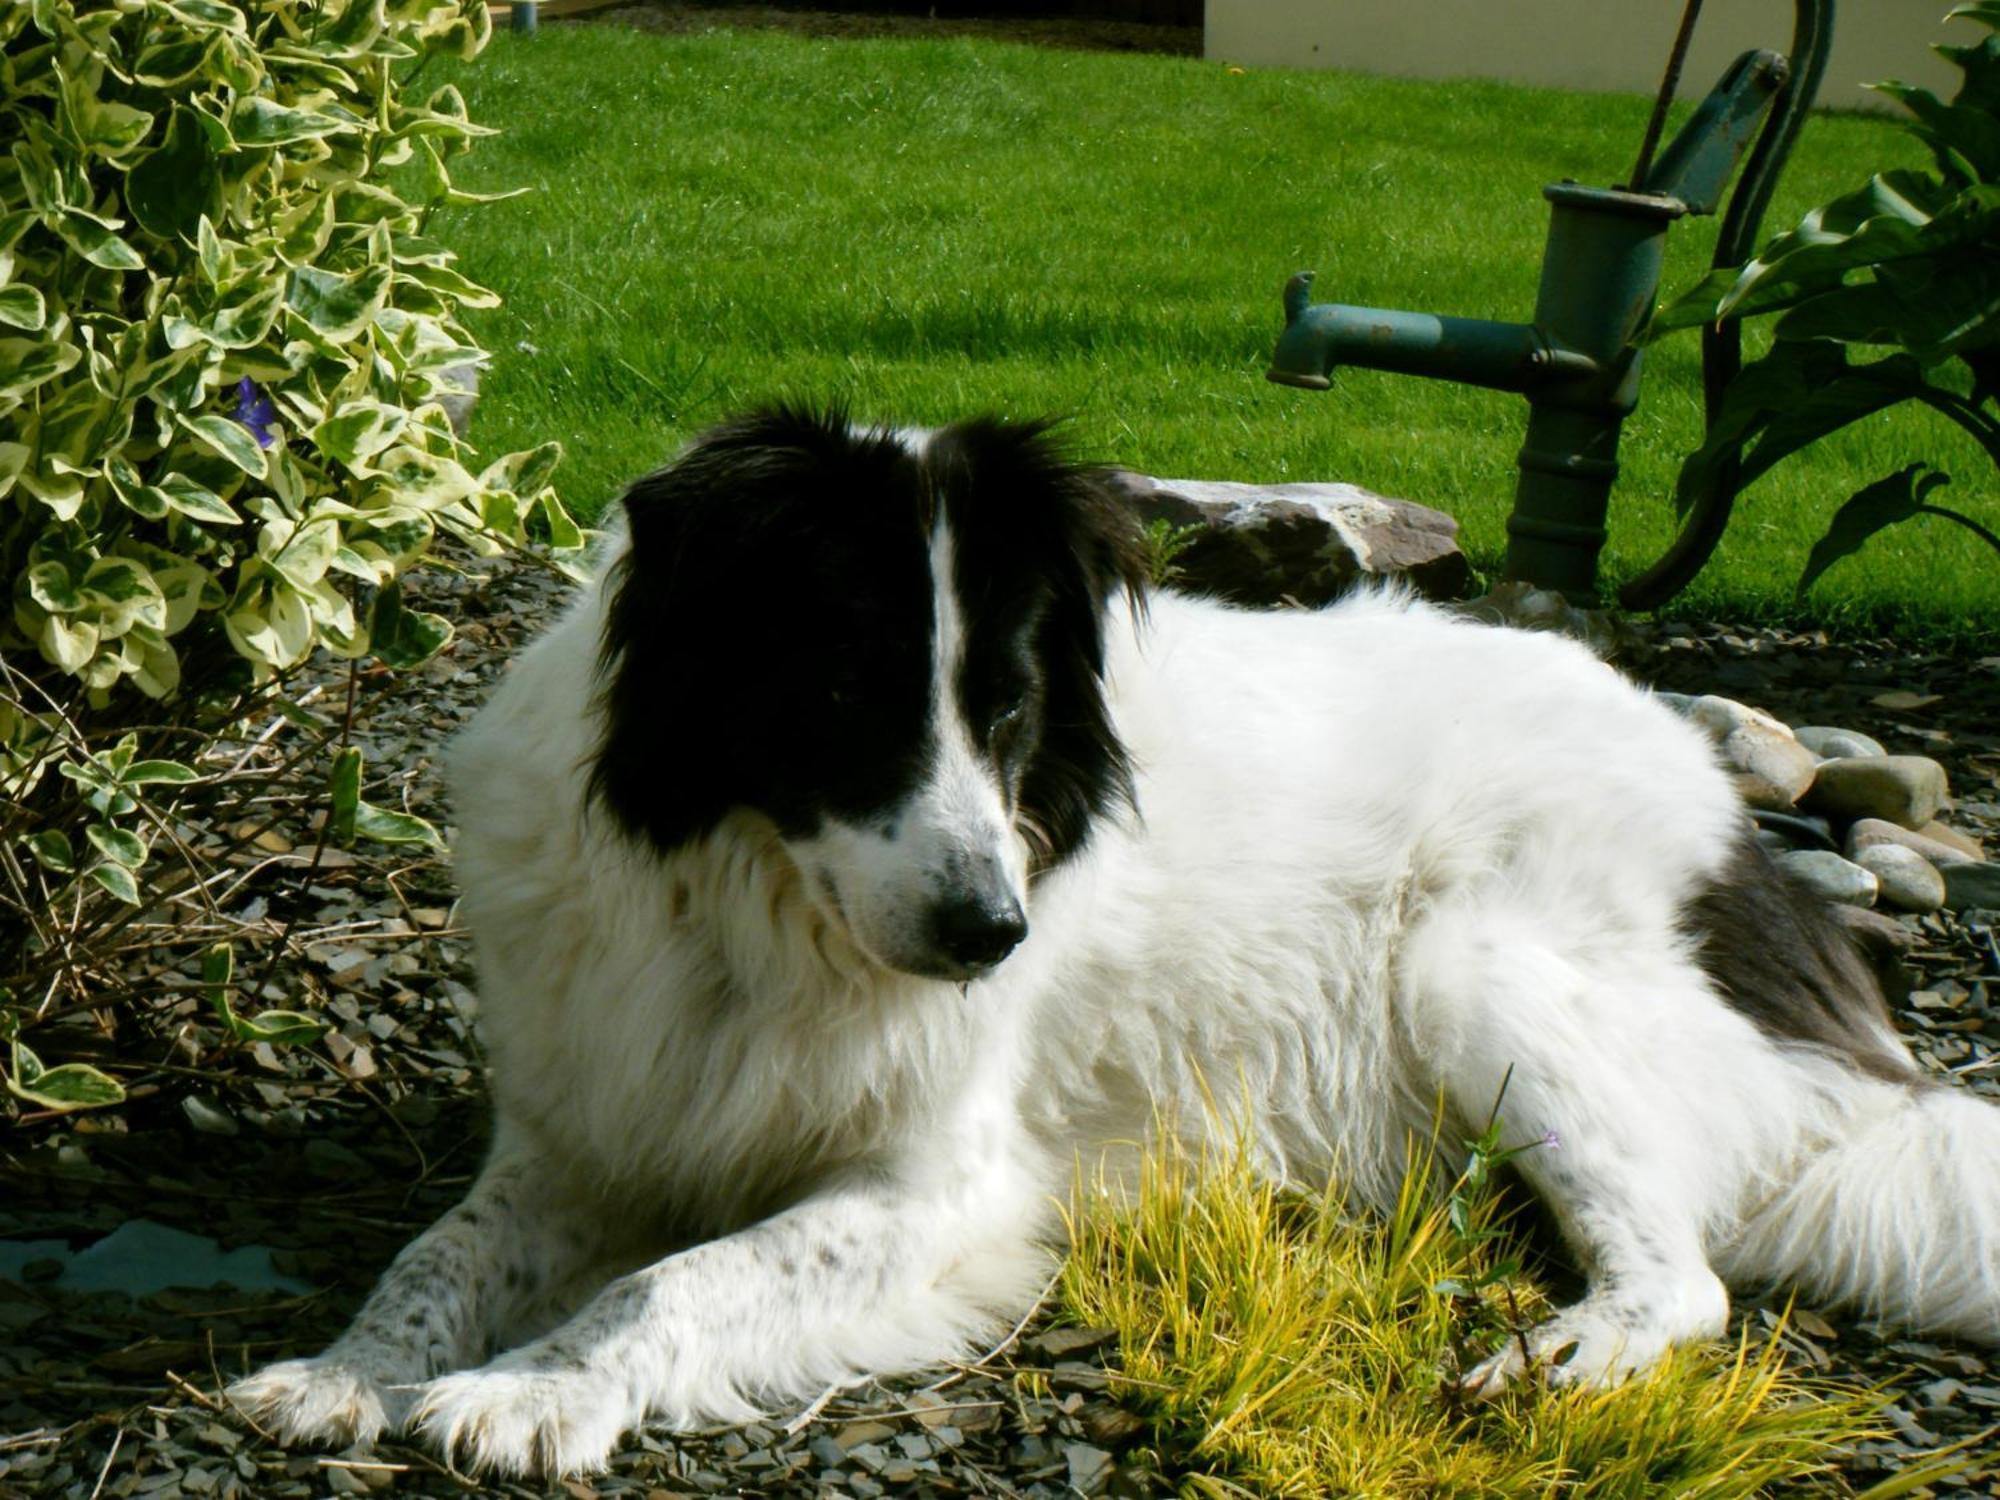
{"points": [[1381, 857]]}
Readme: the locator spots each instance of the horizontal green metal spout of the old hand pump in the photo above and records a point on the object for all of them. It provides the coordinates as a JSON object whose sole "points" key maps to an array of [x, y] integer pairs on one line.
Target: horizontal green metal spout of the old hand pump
{"points": [[1473, 351]]}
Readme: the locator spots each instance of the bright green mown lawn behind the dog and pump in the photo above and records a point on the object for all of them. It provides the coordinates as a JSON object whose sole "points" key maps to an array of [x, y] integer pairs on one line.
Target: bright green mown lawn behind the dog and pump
{"points": [[935, 229]]}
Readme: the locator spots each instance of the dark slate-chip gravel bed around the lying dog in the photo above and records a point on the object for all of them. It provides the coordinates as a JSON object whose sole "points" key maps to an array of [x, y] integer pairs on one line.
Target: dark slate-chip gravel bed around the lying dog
{"points": [[335, 1155]]}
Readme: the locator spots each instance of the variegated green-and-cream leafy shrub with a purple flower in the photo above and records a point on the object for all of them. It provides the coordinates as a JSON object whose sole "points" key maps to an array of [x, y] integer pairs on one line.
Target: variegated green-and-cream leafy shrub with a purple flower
{"points": [[225, 337]]}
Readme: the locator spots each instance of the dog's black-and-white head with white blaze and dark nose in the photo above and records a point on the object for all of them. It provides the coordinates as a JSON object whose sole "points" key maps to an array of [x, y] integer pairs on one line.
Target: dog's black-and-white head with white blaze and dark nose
{"points": [[887, 645]]}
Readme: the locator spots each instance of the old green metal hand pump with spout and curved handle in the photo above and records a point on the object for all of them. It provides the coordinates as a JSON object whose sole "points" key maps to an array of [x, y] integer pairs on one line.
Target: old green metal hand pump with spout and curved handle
{"points": [[1601, 275]]}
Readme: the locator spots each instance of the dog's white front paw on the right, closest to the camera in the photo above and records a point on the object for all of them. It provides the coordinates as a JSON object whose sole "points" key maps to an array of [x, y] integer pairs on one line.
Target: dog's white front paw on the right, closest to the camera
{"points": [[519, 1419]]}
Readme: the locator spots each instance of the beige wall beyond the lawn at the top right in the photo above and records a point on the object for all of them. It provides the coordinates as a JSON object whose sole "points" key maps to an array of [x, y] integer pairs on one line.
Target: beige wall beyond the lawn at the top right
{"points": [[1599, 45]]}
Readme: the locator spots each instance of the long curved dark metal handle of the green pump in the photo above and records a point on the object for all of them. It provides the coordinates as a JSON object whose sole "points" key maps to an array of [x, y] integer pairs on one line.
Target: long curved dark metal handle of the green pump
{"points": [[1709, 517]]}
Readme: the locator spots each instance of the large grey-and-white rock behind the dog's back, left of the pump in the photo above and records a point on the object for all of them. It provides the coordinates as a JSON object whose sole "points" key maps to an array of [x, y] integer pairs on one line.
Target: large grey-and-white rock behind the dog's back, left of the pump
{"points": [[1301, 543]]}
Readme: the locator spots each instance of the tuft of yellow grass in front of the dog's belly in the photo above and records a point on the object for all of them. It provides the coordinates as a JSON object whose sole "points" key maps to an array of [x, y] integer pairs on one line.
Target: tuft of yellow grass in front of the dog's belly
{"points": [[1281, 1347]]}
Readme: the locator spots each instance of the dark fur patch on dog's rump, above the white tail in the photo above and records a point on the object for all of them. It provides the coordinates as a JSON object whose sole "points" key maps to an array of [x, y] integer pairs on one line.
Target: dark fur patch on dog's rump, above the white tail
{"points": [[1777, 955]]}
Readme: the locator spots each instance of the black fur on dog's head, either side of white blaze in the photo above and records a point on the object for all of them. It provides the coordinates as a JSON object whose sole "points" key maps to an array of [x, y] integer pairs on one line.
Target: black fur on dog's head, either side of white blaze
{"points": [[769, 641]]}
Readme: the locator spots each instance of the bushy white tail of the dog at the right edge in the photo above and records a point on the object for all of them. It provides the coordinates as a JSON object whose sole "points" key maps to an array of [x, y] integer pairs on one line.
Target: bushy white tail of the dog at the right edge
{"points": [[1897, 1211]]}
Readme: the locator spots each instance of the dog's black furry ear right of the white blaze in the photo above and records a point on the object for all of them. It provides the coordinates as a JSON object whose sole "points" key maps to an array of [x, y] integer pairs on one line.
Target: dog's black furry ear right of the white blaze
{"points": [[1027, 509]]}
